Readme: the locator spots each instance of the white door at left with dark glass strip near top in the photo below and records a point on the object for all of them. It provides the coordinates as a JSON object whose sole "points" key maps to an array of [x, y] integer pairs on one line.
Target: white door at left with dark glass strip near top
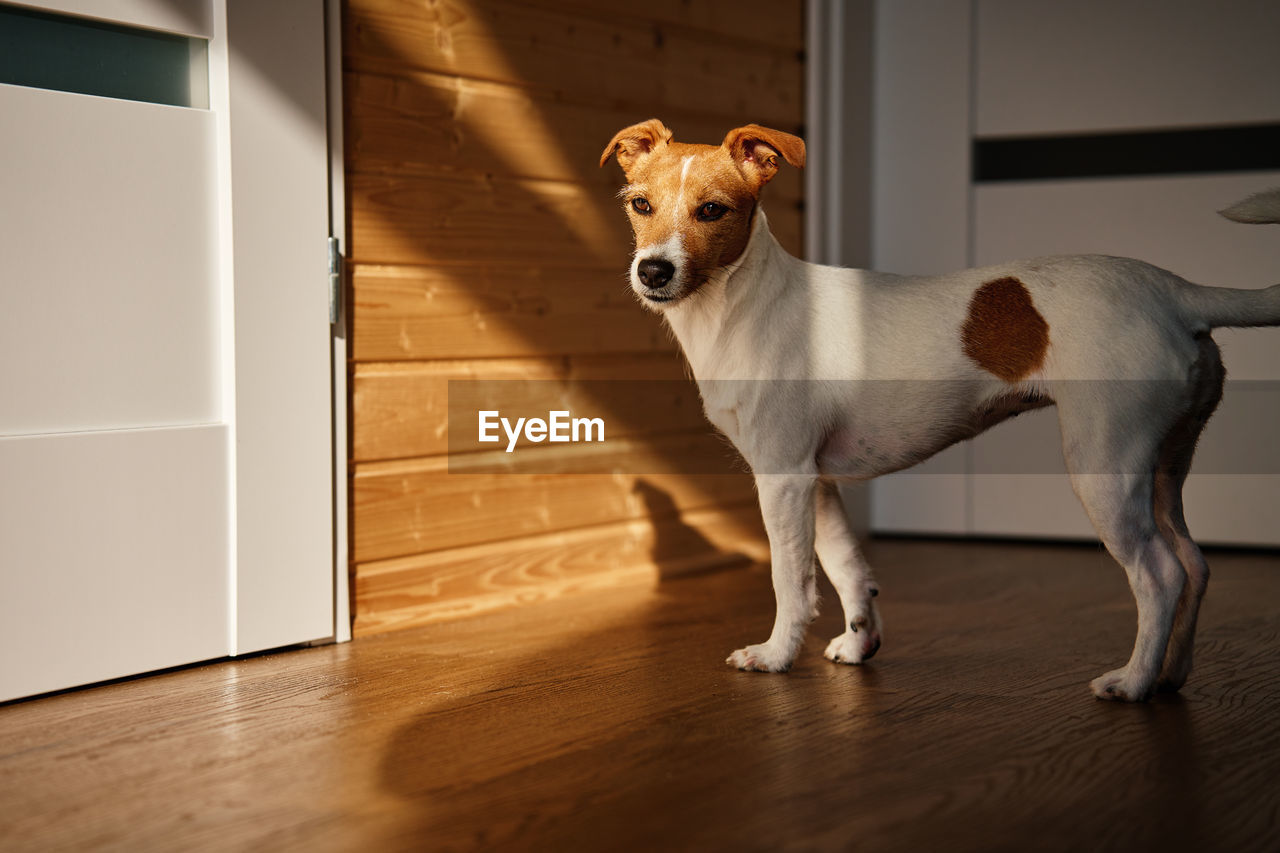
{"points": [[130, 403]]}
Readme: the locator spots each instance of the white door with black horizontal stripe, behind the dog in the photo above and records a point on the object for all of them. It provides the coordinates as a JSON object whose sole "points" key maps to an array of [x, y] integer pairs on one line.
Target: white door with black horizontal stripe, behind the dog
{"points": [[1046, 69]]}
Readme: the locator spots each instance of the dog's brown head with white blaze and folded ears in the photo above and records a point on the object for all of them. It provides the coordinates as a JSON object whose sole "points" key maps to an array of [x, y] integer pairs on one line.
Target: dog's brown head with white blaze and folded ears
{"points": [[692, 207]]}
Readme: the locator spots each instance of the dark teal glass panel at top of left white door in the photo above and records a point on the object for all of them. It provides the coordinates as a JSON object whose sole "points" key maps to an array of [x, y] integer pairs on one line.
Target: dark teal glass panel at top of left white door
{"points": [[92, 58]]}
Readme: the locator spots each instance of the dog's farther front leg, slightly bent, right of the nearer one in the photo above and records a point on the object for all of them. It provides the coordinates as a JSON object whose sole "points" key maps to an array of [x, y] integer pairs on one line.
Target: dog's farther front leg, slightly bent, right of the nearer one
{"points": [[851, 576]]}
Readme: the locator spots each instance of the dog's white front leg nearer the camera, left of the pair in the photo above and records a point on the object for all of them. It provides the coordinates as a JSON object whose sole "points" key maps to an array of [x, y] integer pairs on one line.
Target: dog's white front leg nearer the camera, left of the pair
{"points": [[787, 503]]}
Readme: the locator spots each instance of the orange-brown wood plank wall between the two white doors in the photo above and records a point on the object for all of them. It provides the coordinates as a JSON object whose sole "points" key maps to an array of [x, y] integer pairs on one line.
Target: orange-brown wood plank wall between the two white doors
{"points": [[486, 243]]}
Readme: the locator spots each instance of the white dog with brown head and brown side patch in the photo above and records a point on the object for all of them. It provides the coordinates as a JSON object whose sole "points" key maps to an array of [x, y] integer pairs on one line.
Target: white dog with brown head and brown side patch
{"points": [[822, 375]]}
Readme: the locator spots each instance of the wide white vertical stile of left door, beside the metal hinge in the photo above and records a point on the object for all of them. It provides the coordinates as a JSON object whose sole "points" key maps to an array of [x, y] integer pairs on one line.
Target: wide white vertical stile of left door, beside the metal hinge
{"points": [[277, 139]]}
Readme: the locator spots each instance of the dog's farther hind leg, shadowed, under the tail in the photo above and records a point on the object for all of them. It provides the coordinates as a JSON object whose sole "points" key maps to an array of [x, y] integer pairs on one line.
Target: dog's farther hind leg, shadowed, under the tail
{"points": [[1176, 462]]}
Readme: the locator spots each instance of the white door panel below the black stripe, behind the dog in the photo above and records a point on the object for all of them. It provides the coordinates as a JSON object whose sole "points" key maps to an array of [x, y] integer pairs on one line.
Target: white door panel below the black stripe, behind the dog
{"points": [[1020, 486]]}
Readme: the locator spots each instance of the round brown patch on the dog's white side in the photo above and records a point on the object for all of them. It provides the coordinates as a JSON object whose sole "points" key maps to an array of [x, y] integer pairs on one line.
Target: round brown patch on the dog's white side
{"points": [[1004, 334]]}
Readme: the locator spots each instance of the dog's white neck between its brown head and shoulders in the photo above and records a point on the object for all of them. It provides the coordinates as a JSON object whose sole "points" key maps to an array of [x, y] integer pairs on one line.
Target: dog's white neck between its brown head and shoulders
{"points": [[698, 322]]}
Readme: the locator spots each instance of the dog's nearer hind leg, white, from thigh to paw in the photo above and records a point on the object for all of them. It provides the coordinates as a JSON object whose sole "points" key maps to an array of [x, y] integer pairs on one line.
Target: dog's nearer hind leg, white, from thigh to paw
{"points": [[1113, 468]]}
